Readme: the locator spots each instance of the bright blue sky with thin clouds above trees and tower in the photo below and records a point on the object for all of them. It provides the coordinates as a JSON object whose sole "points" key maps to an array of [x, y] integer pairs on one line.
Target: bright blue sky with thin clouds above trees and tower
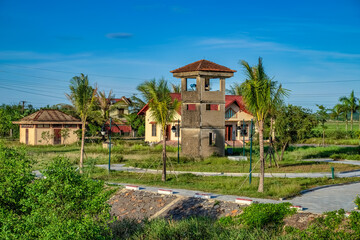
{"points": [[311, 47]]}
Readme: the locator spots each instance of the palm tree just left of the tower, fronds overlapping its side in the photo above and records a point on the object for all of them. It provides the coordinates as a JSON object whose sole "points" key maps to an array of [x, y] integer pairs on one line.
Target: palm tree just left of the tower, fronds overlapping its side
{"points": [[162, 108]]}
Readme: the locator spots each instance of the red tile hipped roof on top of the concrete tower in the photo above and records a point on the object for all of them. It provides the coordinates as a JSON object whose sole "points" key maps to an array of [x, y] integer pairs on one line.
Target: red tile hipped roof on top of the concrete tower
{"points": [[203, 65]]}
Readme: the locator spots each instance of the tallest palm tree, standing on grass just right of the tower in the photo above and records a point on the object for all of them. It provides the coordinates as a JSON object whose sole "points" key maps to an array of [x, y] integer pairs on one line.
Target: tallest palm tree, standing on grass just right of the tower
{"points": [[260, 93]]}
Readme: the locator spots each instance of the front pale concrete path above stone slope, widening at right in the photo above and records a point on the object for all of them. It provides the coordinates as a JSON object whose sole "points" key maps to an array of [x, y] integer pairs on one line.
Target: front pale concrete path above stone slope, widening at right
{"points": [[321, 200]]}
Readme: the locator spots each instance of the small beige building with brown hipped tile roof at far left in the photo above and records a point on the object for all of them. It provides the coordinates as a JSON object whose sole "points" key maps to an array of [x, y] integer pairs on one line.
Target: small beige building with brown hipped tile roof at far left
{"points": [[48, 127]]}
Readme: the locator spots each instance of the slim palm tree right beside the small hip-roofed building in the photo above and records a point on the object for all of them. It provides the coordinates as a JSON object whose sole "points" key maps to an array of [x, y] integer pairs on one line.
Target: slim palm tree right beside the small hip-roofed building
{"points": [[82, 97]]}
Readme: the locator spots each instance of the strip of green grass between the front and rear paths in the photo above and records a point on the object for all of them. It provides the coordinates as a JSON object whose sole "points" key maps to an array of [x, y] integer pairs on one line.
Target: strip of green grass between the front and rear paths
{"points": [[274, 187]]}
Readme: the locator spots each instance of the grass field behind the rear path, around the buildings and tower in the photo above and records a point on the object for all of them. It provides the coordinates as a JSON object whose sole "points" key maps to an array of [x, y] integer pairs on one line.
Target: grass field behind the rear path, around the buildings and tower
{"points": [[139, 155]]}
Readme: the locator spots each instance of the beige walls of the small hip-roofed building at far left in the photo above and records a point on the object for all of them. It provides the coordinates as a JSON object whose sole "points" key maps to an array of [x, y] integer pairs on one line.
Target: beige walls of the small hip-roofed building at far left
{"points": [[35, 136]]}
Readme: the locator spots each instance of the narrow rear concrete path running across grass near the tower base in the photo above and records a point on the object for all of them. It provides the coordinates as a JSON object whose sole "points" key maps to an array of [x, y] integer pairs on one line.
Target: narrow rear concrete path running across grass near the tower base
{"points": [[122, 167]]}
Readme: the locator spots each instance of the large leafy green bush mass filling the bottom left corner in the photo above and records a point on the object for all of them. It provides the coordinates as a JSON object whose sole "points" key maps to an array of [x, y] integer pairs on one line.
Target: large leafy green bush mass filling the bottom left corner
{"points": [[64, 205]]}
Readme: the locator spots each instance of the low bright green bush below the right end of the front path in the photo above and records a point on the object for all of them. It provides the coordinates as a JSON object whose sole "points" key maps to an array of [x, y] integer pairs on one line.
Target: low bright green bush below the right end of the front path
{"points": [[262, 215]]}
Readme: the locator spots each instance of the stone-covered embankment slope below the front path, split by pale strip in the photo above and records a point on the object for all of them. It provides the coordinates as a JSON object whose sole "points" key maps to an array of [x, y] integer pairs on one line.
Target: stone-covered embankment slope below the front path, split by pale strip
{"points": [[142, 204]]}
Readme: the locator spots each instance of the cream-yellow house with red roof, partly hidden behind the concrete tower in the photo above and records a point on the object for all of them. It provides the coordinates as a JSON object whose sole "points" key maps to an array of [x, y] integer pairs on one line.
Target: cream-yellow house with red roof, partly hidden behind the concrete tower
{"points": [[235, 116]]}
